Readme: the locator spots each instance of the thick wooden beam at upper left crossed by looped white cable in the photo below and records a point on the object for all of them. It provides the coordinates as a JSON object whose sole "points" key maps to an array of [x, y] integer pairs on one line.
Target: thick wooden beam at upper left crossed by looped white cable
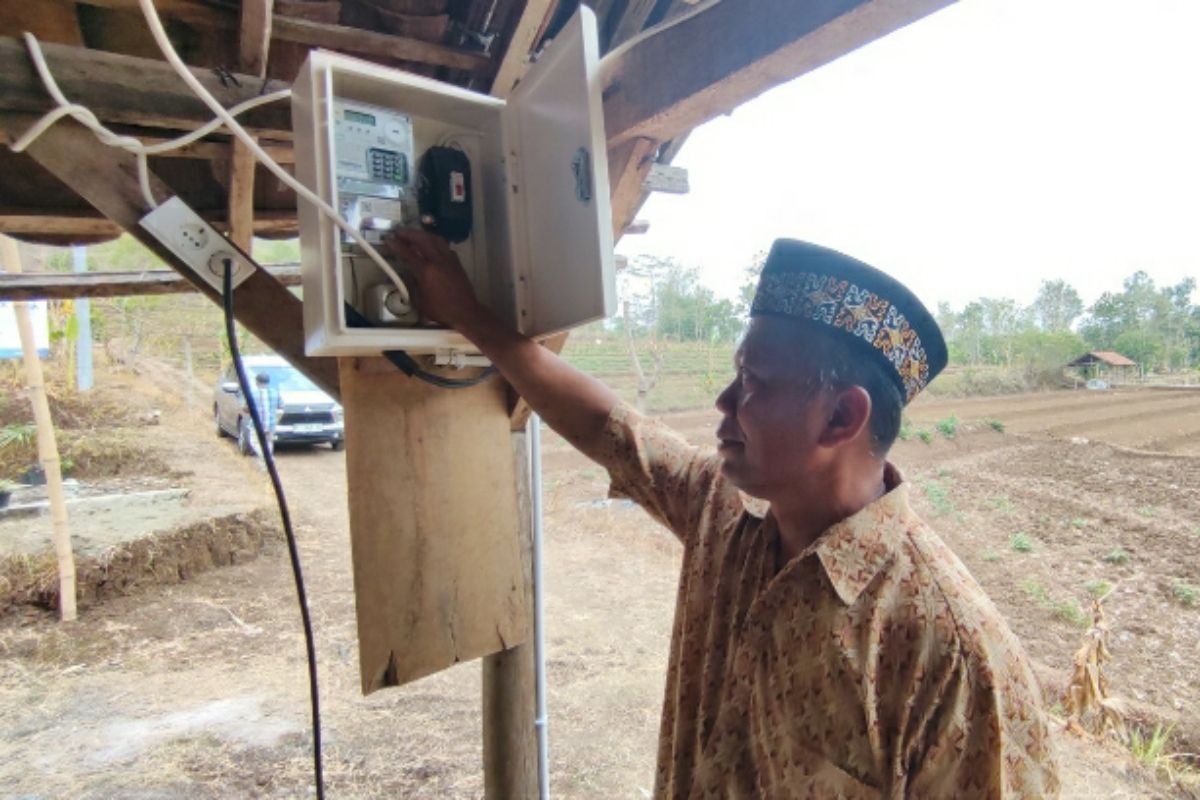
{"points": [[136, 92]]}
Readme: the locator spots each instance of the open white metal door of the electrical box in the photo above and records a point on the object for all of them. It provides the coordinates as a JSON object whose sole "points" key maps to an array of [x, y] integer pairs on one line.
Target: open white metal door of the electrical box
{"points": [[562, 226]]}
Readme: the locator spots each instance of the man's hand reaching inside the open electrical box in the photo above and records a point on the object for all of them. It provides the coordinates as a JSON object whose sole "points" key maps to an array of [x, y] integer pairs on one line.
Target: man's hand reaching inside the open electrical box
{"points": [[440, 287]]}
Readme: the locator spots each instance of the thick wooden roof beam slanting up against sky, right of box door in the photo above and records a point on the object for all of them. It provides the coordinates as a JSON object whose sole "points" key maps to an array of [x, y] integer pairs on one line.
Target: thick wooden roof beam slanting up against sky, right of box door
{"points": [[709, 63]]}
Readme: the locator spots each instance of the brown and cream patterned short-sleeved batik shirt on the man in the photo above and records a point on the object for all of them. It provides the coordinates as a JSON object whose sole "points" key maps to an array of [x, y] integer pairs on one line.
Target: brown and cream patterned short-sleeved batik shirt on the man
{"points": [[869, 666]]}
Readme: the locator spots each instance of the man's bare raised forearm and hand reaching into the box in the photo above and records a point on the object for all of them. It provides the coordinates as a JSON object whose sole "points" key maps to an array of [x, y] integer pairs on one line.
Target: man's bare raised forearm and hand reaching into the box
{"points": [[573, 404]]}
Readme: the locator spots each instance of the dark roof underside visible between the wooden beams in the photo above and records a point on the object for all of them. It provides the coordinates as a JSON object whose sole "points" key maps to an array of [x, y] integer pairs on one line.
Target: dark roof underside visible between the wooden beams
{"points": [[463, 43]]}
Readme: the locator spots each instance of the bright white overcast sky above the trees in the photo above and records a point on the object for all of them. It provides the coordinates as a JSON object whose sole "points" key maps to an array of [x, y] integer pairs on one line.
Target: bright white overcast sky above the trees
{"points": [[976, 153]]}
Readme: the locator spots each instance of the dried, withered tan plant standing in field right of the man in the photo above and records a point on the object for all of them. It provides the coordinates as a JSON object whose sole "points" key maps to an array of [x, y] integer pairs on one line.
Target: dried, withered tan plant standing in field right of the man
{"points": [[1091, 711]]}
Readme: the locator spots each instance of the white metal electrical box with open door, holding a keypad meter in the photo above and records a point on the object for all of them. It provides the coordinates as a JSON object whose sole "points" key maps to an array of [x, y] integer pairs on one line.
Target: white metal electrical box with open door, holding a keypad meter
{"points": [[526, 178]]}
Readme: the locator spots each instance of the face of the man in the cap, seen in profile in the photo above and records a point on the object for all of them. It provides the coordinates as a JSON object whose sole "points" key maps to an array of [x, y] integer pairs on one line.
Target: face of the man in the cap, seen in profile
{"points": [[772, 414]]}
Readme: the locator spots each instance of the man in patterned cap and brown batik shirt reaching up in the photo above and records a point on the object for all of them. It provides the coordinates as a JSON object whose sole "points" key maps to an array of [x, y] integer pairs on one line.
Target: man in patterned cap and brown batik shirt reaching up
{"points": [[833, 648]]}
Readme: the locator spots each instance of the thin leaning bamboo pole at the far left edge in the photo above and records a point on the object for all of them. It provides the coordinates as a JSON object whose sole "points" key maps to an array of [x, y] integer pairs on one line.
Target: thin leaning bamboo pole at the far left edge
{"points": [[47, 446]]}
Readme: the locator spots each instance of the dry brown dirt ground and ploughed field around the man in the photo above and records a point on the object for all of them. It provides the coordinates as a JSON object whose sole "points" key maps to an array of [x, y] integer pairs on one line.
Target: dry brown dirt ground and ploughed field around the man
{"points": [[199, 689]]}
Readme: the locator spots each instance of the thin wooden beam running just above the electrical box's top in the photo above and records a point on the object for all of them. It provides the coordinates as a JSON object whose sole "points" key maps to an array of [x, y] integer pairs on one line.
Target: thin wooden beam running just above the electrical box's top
{"points": [[373, 45]]}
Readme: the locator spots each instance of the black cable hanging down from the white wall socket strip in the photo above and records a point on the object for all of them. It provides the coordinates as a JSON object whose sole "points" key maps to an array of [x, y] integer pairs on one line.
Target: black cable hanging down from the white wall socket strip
{"points": [[293, 551]]}
